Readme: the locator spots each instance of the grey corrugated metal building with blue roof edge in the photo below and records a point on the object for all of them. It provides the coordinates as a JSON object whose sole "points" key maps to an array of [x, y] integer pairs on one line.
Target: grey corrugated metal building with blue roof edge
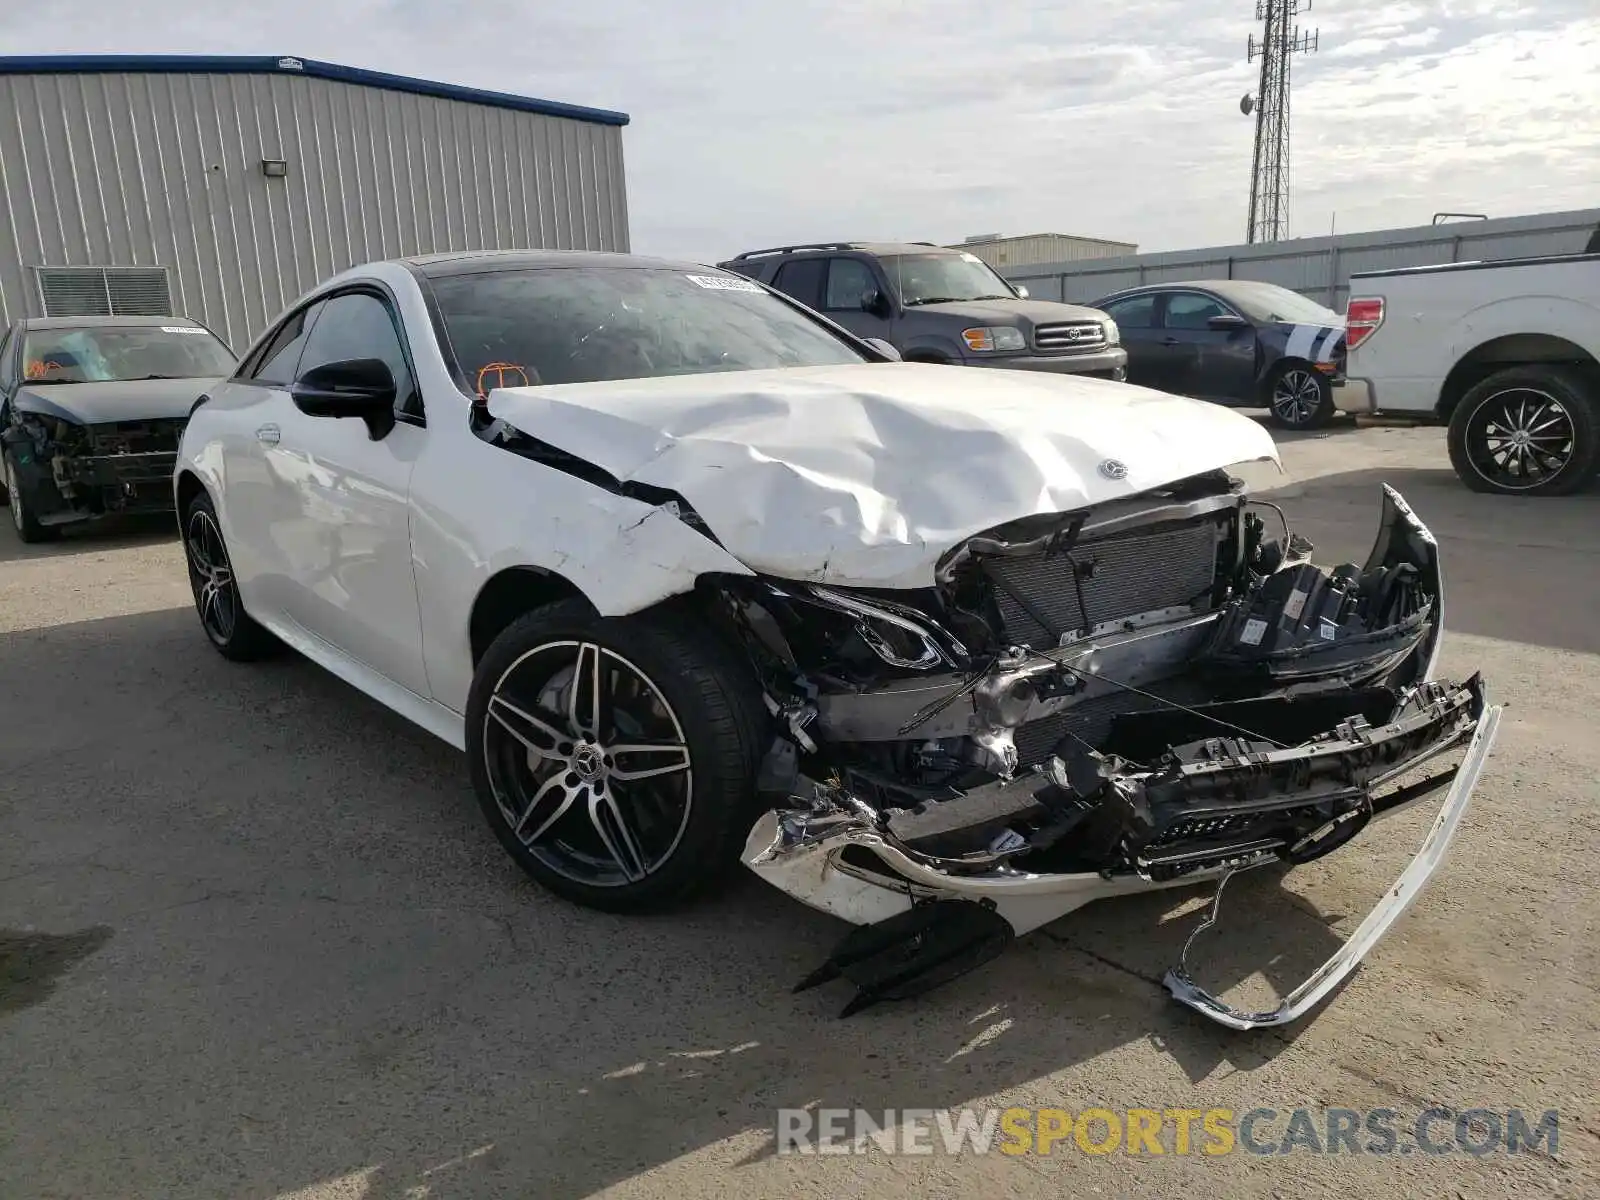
{"points": [[223, 188]]}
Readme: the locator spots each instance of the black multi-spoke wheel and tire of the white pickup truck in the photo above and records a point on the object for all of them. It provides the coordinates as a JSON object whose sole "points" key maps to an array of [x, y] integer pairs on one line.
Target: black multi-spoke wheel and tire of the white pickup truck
{"points": [[1553, 409]]}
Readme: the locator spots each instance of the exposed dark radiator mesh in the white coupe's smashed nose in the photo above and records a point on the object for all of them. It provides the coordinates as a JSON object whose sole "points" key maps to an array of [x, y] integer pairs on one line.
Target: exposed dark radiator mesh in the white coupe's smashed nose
{"points": [[1106, 580]]}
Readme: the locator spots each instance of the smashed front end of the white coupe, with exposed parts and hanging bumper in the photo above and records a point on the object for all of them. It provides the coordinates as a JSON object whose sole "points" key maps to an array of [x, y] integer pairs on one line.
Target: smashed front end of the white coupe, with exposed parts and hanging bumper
{"points": [[1143, 695]]}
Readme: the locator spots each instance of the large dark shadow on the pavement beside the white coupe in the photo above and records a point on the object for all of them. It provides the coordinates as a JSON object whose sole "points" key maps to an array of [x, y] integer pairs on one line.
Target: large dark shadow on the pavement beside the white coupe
{"points": [[326, 967]]}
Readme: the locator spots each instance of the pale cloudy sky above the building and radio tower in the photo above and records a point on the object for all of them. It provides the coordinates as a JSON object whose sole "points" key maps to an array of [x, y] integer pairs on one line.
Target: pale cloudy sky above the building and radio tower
{"points": [[759, 122]]}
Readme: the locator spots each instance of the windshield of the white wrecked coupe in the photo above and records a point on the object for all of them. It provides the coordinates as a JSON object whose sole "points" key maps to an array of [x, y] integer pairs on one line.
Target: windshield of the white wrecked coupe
{"points": [[575, 326]]}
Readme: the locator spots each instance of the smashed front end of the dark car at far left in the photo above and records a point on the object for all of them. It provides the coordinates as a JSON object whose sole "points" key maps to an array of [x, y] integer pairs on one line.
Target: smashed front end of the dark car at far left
{"points": [[74, 473]]}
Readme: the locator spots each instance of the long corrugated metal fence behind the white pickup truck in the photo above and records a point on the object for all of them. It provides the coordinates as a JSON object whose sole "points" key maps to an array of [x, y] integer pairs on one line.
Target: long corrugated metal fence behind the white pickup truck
{"points": [[1322, 266]]}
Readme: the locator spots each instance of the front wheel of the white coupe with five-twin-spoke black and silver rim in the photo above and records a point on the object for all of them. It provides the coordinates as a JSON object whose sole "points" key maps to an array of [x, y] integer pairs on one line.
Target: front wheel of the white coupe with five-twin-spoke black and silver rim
{"points": [[682, 831]]}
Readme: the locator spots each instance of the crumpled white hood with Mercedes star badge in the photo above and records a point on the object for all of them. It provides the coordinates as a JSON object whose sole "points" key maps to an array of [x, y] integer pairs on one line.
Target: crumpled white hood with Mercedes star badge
{"points": [[868, 474]]}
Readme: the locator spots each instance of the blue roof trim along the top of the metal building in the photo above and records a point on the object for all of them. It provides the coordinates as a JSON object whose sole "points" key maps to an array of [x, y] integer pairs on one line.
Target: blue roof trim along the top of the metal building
{"points": [[266, 65]]}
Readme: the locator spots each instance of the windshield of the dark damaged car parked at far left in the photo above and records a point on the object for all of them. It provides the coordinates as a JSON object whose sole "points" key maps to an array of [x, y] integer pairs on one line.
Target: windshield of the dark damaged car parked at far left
{"points": [[111, 354]]}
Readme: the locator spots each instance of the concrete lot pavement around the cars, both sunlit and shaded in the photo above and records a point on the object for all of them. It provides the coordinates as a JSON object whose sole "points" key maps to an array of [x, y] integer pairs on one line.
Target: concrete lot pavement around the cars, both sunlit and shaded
{"points": [[260, 943]]}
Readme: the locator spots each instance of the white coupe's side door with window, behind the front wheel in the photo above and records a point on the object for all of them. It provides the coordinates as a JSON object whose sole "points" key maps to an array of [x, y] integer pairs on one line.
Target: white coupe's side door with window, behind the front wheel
{"points": [[340, 500]]}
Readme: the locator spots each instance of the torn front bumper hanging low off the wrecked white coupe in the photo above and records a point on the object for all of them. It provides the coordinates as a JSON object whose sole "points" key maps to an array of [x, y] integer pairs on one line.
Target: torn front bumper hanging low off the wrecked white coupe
{"points": [[1204, 814]]}
